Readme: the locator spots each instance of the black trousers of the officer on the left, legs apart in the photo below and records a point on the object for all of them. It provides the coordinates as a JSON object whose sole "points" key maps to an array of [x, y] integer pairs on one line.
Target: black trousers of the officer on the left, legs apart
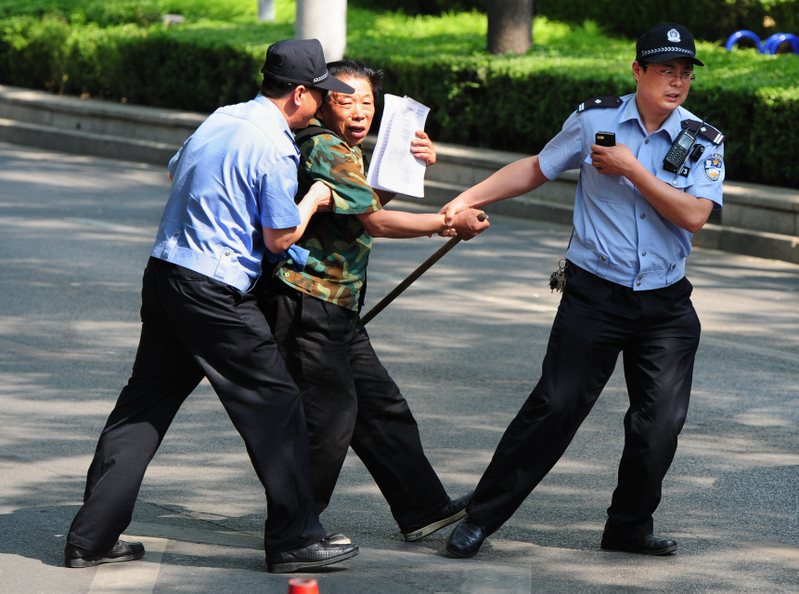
{"points": [[193, 326]]}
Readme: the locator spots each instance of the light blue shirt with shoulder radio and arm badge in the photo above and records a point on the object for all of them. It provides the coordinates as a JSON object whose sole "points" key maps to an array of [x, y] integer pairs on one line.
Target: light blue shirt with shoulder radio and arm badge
{"points": [[618, 235]]}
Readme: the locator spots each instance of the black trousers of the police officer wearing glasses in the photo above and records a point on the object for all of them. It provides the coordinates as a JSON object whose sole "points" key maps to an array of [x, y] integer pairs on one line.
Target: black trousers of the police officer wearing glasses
{"points": [[658, 334]]}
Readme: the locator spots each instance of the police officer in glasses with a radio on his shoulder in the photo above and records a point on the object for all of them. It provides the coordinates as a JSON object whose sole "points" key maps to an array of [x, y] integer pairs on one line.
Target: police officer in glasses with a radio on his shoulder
{"points": [[624, 292]]}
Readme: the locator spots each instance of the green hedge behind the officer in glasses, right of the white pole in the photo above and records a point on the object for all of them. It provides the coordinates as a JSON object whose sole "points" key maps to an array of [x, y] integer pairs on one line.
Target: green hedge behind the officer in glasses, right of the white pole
{"points": [[519, 103]]}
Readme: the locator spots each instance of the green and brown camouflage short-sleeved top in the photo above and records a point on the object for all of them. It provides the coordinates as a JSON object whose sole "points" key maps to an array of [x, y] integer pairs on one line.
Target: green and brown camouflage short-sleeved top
{"points": [[337, 243]]}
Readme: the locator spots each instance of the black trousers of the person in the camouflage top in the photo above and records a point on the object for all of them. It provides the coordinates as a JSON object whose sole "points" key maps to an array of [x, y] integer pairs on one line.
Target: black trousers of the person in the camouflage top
{"points": [[350, 400]]}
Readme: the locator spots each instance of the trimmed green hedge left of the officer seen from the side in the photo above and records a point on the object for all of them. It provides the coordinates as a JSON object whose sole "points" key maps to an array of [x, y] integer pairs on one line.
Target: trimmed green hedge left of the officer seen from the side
{"points": [[192, 69]]}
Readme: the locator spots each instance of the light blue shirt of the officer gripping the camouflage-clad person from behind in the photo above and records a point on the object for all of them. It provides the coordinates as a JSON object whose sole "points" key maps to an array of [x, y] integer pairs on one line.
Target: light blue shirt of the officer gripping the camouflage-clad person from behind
{"points": [[234, 176]]}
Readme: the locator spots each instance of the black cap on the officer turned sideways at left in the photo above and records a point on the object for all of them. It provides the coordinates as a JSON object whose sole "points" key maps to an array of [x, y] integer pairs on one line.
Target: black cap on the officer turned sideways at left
{"points": [[301, 62]]}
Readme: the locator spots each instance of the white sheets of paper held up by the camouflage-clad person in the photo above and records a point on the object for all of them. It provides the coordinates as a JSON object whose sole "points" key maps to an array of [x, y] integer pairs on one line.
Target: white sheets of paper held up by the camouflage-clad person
{"points": [[393, 167]]}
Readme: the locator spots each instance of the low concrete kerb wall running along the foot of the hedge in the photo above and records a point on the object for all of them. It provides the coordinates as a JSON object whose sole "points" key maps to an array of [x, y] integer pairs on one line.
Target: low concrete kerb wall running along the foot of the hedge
{"points": [[760, 221]]}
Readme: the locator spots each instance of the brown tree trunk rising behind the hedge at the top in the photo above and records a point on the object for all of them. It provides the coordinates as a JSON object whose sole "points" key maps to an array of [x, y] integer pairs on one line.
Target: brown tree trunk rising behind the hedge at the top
{"points": [[510, 26]]}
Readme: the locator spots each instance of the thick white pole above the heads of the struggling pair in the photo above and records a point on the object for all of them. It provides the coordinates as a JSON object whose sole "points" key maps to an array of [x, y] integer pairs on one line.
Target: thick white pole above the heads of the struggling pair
{"points": [[325, 20]]}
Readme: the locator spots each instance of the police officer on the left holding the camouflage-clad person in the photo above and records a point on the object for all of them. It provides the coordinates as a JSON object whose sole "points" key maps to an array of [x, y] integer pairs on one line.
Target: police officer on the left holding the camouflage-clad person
{"points": [[232, 203]]}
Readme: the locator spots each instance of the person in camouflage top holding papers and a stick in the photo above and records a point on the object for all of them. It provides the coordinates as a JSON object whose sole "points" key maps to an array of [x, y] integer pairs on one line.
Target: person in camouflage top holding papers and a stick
{"points": [[348, 396]]}
